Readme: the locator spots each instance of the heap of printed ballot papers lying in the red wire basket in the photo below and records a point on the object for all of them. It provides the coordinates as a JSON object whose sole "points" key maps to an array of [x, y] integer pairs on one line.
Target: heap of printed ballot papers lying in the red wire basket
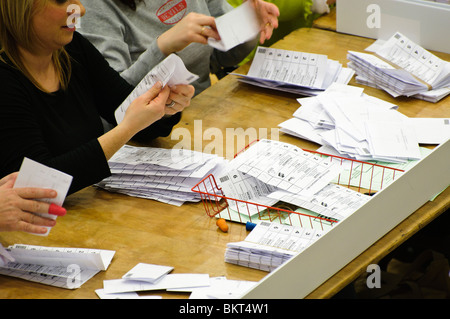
{"points": [[270, 173]]}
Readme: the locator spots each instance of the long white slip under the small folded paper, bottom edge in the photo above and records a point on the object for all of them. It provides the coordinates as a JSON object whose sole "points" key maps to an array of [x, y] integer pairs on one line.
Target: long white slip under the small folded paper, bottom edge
{"points": [[166, 282]]}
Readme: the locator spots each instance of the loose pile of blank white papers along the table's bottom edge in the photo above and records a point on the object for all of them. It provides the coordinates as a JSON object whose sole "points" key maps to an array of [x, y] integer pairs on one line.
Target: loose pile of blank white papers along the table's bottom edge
{"points": [[150, 277]]}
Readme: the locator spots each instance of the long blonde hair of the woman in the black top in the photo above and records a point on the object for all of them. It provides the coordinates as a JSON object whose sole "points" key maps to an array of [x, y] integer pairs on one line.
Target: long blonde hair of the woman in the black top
{"points": [[16, 31]]}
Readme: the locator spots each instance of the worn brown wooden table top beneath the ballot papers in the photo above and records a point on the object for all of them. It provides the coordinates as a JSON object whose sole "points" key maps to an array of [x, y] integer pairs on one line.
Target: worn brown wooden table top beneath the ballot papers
{"points": [[184, 237]]}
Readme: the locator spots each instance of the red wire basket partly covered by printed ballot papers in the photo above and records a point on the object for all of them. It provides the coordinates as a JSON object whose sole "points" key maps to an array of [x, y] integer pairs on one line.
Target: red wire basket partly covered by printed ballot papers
{"points": [[216, 204]]}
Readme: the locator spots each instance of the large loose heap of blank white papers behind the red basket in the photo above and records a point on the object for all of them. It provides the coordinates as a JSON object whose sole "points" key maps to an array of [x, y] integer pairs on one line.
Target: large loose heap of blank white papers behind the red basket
{"points": [[362, 127]]}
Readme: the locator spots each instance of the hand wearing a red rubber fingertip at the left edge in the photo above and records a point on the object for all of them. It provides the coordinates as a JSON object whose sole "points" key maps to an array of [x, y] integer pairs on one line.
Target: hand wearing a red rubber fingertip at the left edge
{"points": [[17, 206]]}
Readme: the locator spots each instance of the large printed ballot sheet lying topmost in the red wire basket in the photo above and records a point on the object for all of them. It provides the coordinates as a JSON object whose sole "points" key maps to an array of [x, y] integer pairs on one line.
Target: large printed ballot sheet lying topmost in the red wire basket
{"points": [[286, 166]]}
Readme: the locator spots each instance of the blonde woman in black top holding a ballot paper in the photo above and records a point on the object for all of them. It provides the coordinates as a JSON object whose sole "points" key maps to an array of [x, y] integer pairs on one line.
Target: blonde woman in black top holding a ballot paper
{"points": [[55, 87]]}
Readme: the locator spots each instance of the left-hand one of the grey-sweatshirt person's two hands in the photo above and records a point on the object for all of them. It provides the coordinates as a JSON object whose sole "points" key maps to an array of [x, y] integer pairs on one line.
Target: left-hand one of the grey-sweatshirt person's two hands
{"points": [[194, 27]]}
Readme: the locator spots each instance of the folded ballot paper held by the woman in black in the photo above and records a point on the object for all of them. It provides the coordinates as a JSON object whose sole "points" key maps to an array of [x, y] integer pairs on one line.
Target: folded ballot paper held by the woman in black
{"points": [[171, 71]]}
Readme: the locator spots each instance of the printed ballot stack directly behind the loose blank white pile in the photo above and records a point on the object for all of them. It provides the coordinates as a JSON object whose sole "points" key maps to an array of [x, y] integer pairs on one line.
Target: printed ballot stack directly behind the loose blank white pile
{"points": [[295, 72]]}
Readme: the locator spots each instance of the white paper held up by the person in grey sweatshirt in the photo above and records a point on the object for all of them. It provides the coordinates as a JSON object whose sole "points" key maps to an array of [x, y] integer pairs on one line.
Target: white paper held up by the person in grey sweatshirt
{"points": [[235, 27]]}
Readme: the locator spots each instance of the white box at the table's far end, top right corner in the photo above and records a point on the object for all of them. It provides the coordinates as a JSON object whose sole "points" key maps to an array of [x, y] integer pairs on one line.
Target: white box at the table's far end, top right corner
{"points": [[425, 22]]}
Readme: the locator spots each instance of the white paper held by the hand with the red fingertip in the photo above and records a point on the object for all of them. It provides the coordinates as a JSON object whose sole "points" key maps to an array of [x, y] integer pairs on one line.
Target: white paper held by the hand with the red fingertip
{"points": [[34, 174]]}
